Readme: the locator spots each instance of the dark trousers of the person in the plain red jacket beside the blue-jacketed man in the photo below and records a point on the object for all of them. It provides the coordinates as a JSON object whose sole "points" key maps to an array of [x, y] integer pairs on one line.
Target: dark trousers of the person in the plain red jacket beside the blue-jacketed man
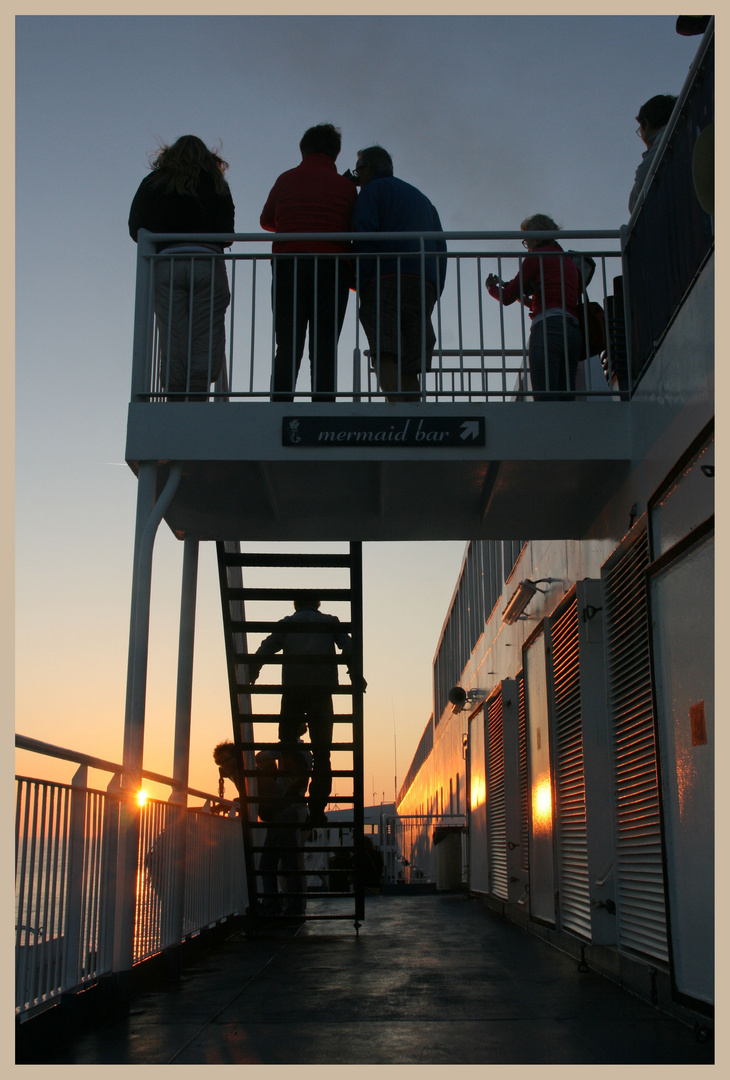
{"points": [[318, 302]]}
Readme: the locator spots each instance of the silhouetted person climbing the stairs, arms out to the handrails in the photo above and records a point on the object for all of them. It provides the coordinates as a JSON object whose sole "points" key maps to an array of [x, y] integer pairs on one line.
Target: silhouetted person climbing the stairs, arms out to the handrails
{"points": [[307, 686]]}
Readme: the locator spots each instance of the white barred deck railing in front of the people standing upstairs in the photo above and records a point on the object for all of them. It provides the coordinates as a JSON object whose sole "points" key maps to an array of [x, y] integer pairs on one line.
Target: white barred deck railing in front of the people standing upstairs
{"points": [[481, 352]]}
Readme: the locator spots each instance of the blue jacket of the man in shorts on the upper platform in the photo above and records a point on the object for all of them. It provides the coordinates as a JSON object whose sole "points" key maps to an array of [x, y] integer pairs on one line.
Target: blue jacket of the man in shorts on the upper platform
{"points": [[387, 205]]}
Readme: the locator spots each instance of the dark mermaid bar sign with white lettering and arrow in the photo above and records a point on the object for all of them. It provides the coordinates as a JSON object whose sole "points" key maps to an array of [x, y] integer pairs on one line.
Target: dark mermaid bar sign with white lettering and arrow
{"points": [[427, 431]]}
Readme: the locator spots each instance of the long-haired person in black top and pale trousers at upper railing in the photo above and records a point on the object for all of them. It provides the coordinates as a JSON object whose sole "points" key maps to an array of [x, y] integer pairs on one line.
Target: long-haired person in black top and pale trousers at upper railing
{"points": [[187, 193]]}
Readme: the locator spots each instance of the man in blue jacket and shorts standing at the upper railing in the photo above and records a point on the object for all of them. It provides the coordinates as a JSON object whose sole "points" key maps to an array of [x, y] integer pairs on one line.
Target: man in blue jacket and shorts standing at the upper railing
{"points": [[397, 300]]}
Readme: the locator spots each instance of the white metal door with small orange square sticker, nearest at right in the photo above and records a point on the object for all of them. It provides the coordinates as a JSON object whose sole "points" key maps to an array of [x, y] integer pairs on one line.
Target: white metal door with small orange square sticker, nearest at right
{"points": [[682, 597]]}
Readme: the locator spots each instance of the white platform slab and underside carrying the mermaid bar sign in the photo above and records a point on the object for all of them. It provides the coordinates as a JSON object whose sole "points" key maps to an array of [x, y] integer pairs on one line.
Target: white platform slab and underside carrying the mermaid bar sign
{"points": [[533, 469]]}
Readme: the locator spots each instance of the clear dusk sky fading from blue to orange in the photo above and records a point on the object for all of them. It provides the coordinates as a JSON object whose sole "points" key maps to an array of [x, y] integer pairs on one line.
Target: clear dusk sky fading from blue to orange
{"points": [[493, 117]]}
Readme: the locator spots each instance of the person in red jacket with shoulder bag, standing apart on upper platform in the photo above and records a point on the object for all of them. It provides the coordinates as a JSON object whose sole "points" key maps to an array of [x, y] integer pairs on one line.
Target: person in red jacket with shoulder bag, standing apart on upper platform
{"points": [[550, 286]]}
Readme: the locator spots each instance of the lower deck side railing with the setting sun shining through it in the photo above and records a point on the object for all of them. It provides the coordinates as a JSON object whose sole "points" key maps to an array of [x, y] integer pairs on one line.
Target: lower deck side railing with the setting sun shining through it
{"points": [[66, 847]]}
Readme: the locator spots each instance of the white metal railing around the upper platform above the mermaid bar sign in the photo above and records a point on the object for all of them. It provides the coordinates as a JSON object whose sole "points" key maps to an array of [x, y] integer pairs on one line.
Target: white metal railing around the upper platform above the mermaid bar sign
{"points": [[481, 350]]}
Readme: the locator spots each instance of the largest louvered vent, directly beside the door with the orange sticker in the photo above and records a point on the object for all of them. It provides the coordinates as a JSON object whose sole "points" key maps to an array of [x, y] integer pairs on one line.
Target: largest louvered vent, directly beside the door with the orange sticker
{"points": [[640, 873]]}
